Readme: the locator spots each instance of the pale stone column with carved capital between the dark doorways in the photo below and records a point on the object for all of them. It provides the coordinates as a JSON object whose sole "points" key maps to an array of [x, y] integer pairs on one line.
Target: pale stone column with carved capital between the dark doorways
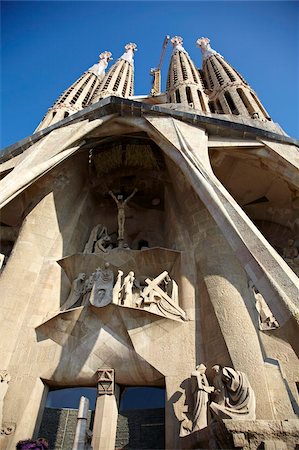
{"points": [[106, 413]]}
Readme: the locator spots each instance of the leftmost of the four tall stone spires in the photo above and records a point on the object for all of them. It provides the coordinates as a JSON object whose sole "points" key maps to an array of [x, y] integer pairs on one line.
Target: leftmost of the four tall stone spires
{"points": [[78, 95]]}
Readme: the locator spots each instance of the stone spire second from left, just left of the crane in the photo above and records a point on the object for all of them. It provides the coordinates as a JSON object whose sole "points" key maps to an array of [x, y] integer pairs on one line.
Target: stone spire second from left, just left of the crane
{"points": [[119, 81]]}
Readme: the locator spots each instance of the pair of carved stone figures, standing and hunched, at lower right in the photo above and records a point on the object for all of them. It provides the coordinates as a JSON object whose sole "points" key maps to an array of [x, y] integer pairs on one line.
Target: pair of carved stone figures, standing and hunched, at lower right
{"points": [[229, 397]]}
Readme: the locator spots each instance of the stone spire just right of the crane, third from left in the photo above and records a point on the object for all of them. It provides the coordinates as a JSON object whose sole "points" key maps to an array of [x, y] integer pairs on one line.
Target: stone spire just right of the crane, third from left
{"points": [[184, 83]]}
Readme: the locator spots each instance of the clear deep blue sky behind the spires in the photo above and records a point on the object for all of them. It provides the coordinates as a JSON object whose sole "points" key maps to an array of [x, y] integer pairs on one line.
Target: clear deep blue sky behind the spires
{"points": [[46, 46]]}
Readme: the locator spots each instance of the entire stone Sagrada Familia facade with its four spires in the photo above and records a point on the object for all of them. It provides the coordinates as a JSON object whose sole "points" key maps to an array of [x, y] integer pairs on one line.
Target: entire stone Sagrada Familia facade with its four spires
{"points": [[153, 241]]}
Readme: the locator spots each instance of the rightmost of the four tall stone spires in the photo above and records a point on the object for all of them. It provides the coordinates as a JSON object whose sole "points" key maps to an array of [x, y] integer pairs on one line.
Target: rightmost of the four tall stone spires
{"points": [[229, 92]]}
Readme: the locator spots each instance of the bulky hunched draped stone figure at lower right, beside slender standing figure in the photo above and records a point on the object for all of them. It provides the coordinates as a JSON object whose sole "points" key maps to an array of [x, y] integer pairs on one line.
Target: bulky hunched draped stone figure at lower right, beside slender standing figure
{"points": [[236, 399]]}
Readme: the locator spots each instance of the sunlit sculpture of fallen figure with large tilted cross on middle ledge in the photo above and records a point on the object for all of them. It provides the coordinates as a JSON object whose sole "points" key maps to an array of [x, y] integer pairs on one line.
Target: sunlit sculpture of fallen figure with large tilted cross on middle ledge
{"points": [[158, 301]]}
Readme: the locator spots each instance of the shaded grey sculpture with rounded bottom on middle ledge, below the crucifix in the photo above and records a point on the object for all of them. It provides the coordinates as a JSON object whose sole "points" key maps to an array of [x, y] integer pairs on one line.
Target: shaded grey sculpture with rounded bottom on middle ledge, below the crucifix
{"points": [[101, 294]]}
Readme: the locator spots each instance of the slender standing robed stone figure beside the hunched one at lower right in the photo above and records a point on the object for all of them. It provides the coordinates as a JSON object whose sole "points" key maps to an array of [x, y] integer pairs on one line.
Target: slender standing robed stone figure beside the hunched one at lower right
{"points": [[201, 390]]}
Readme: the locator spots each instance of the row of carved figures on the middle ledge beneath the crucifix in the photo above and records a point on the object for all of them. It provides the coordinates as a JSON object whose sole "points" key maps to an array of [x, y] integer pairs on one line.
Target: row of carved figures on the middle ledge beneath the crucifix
{"points": [[158, 295]]}
